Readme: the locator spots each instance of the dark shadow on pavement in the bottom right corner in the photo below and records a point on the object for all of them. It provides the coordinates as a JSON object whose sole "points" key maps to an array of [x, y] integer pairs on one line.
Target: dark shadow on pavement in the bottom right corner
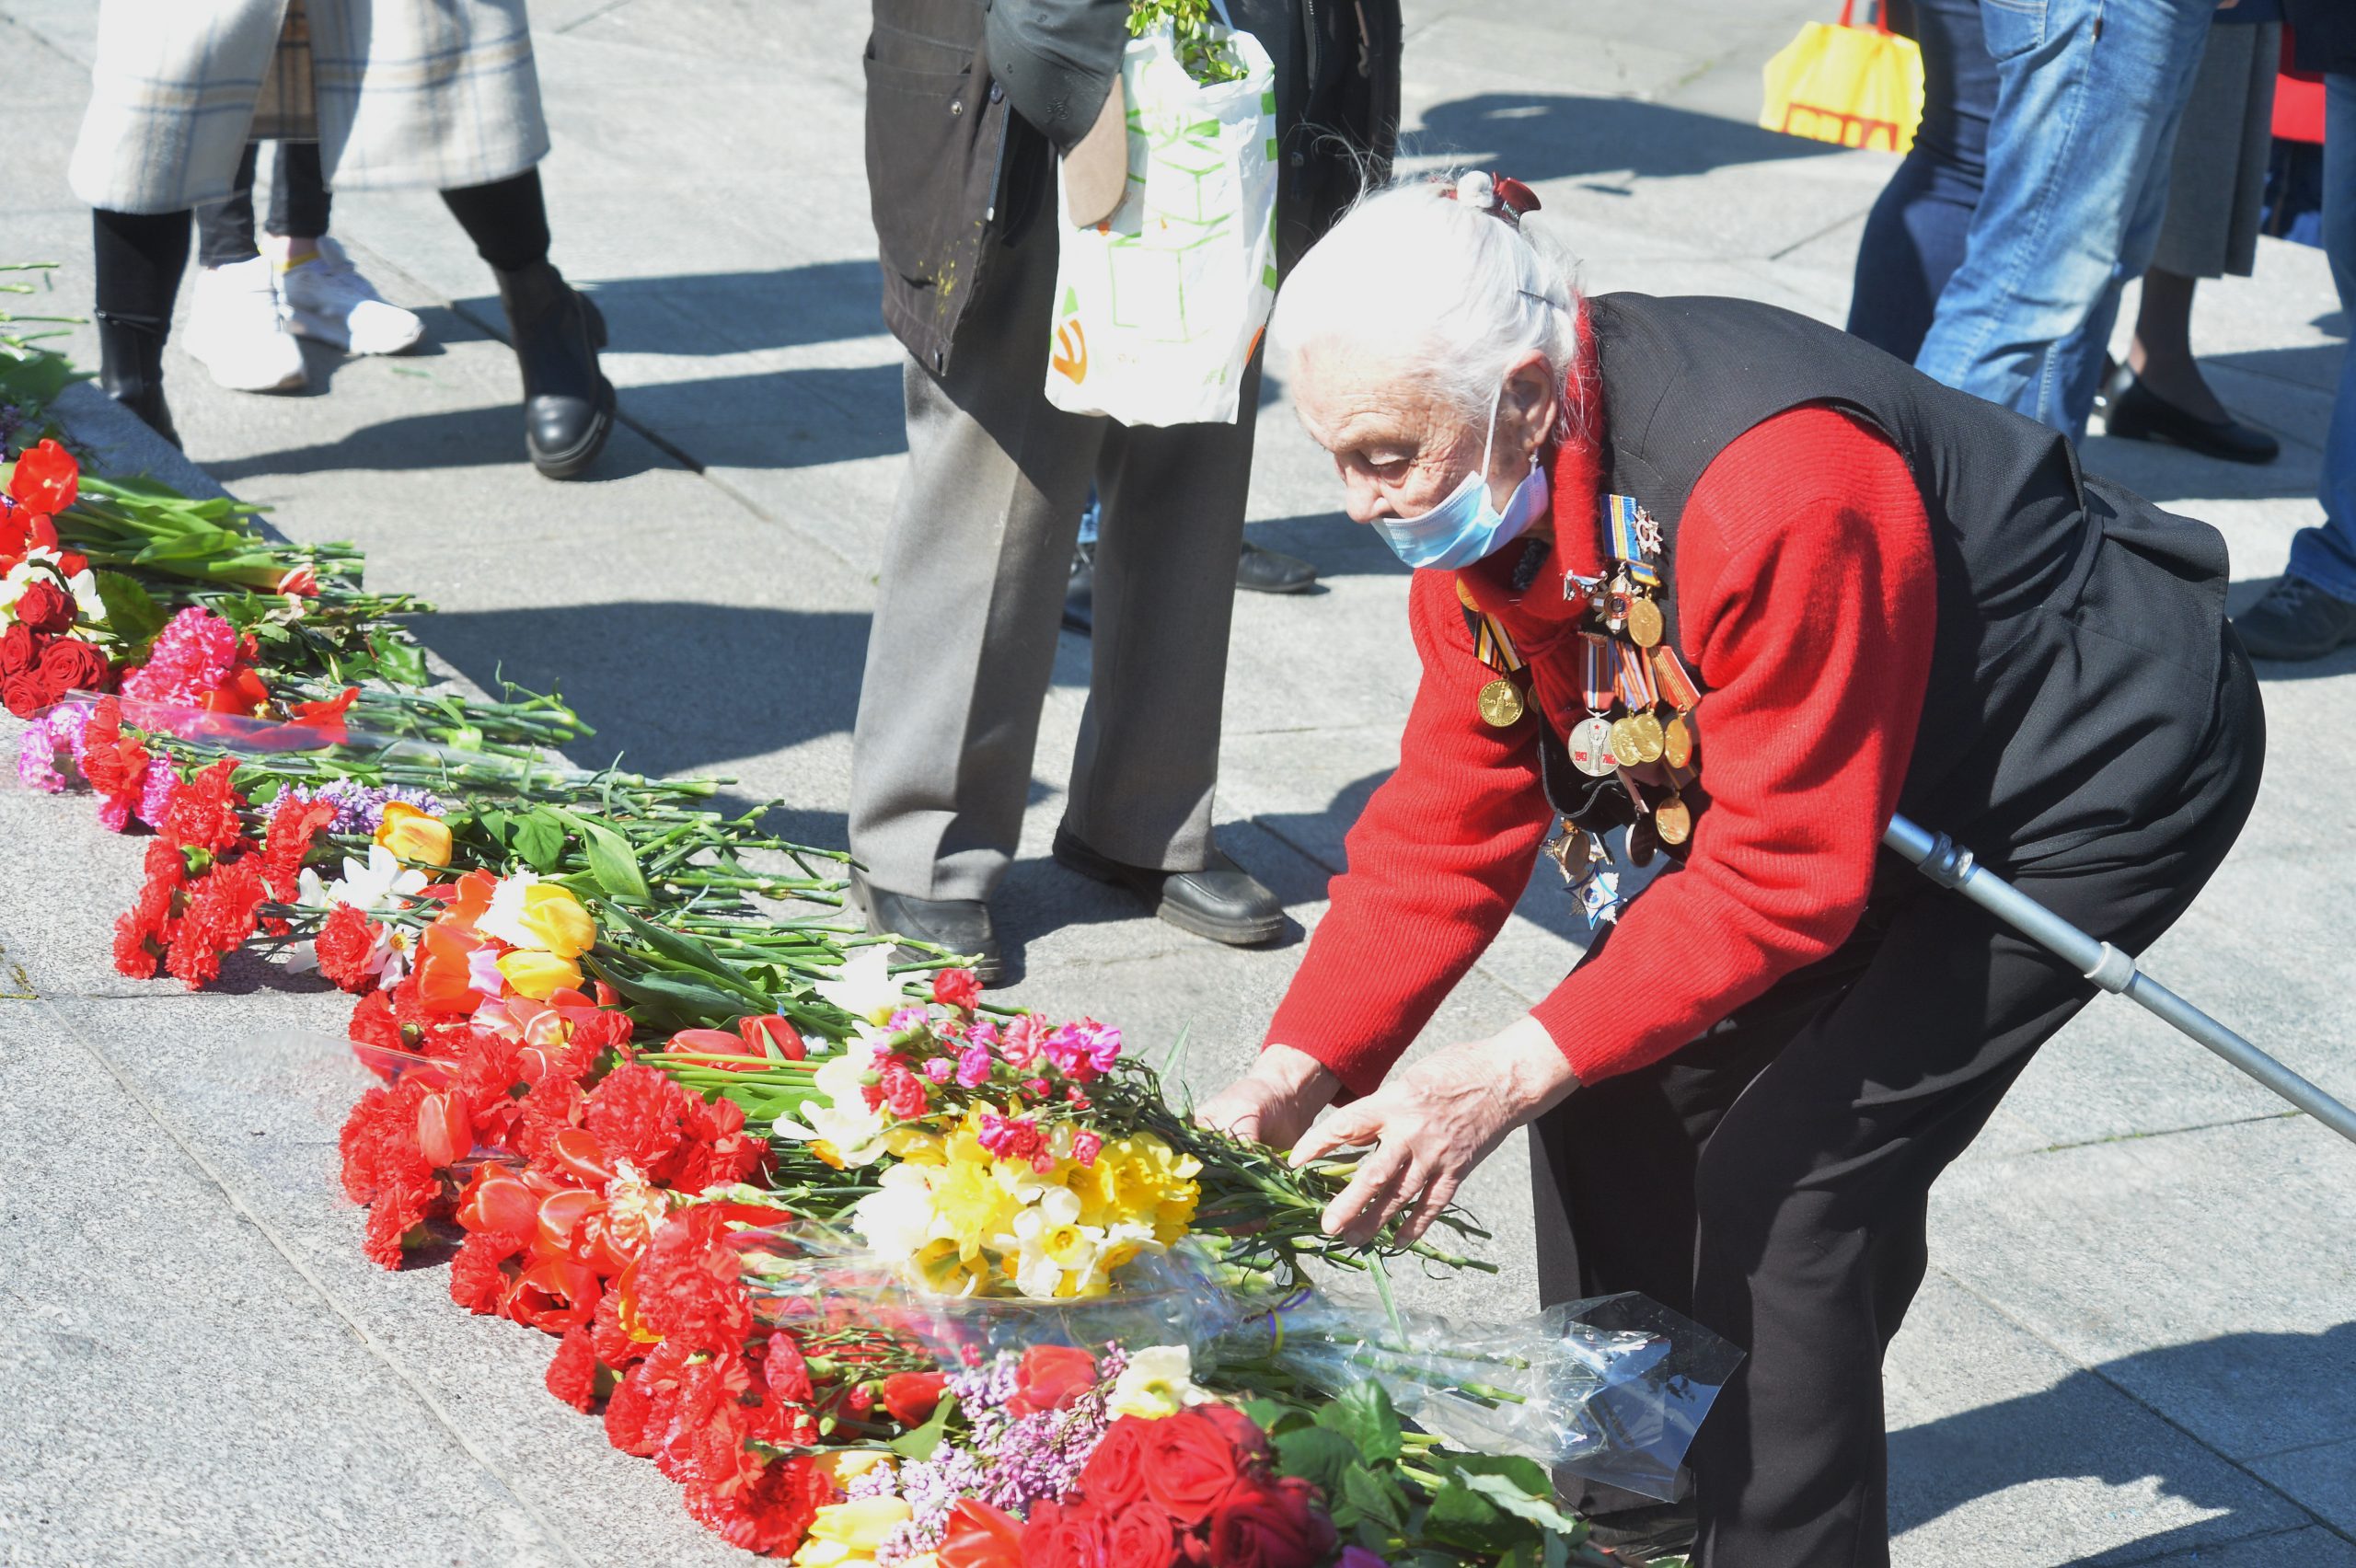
{"points": [[2056, 1435]]}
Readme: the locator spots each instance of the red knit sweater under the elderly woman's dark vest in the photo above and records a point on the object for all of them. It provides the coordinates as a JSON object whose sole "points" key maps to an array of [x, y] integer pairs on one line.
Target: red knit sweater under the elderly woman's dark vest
{"points": [[1806, 602]]}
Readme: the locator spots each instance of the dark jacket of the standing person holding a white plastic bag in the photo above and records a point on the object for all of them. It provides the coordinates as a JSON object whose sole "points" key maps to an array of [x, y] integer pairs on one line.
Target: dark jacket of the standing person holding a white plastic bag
{"points": [[969, 102]]}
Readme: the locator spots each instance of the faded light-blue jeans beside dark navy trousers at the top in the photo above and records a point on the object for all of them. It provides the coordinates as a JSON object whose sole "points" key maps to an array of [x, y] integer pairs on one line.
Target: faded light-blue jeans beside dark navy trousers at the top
{"points": [[2086, 119]]}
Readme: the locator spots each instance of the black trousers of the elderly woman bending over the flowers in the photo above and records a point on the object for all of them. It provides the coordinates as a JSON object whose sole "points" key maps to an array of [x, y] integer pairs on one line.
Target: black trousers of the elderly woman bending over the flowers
{"points": [[1773, 1178]]}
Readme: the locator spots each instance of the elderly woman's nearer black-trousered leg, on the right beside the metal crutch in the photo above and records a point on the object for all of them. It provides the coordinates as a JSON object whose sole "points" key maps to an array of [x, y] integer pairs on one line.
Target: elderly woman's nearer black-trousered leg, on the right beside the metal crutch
{"points": [[1813, 1190]]}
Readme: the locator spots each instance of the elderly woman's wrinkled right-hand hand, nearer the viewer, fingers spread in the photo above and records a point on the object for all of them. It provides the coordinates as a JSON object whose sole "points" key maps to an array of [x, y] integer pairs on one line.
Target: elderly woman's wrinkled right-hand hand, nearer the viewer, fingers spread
{"points": [[1434, 1124]]}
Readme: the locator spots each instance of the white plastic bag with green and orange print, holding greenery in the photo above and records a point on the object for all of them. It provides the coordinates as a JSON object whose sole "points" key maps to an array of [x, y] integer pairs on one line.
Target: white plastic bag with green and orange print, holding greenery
{"points": [[1160, 307]]}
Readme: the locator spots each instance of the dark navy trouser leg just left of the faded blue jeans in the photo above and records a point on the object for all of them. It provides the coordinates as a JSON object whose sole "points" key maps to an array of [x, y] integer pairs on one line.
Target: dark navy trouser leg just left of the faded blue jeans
{"points": [[1919, 225]]}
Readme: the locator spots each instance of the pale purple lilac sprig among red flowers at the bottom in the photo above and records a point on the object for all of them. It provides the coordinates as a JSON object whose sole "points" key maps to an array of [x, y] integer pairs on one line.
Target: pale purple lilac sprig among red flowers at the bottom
{"points": [[1028, 1456]]}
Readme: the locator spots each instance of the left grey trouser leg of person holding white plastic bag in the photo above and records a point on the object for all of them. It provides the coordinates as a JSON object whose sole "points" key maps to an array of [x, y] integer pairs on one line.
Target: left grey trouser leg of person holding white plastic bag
{"points": [[967, 606]]}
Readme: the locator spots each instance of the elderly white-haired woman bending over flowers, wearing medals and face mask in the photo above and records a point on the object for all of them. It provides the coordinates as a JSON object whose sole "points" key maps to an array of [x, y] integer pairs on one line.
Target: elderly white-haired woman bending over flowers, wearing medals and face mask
{"points": [[1730, 587]]}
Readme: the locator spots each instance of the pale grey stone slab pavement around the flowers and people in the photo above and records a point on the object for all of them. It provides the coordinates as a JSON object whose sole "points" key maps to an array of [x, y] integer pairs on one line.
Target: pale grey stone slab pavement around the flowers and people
{"points": [[2138, 1343]]}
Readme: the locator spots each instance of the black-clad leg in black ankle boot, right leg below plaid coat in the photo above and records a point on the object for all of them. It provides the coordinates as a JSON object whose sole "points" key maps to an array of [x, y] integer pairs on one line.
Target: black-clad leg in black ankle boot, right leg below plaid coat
{"points": [[557, 331]]}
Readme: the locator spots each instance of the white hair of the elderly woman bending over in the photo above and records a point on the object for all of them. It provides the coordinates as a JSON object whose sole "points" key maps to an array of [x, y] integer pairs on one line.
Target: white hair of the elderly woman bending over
{"points": [[1429, 272]]}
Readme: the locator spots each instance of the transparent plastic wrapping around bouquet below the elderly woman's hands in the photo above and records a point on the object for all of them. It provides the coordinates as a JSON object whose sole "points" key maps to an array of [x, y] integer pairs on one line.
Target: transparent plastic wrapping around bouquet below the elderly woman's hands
{"points": [[1610, 1390]]}
